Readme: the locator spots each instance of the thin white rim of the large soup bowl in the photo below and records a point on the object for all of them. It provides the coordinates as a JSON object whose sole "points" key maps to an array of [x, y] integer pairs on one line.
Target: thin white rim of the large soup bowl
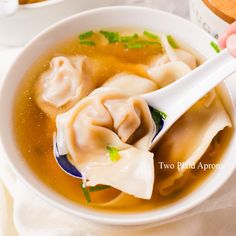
{"points": [[107, 217]]}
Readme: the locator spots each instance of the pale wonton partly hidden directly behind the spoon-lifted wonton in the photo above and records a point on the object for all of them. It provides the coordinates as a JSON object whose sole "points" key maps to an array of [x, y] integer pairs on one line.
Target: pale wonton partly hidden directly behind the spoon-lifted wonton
{"points": [[130, 84]]}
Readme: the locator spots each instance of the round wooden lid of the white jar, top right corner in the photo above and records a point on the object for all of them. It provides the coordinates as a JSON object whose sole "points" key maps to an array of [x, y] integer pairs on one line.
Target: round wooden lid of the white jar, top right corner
{"points": [[224, 9]]}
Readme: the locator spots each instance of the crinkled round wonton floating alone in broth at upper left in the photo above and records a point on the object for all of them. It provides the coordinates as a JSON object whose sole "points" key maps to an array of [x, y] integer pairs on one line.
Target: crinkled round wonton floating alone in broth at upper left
{"points": [[63, 84]]}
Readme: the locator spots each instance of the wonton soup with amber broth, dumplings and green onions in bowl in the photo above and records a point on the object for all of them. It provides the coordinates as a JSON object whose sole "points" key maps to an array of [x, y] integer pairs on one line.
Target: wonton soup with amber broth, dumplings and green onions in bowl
{"points": [[82, 98]]}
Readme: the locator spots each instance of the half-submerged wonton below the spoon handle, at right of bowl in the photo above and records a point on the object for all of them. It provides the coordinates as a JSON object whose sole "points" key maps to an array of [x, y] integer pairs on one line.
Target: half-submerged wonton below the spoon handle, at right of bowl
{"points": [[188, 140]]}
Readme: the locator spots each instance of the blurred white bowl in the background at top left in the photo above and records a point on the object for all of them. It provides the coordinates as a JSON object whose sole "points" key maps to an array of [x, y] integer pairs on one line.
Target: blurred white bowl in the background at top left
{"points": [[30, 19]]}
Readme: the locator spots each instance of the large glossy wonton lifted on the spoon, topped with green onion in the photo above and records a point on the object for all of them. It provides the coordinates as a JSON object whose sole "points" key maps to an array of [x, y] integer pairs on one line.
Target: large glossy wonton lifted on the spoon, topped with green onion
{"points": [[108, 117]]}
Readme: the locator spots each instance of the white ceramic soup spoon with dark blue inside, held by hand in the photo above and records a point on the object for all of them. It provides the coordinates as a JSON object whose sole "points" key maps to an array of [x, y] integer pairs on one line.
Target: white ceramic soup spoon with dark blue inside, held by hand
{"points": [[176, 98]]}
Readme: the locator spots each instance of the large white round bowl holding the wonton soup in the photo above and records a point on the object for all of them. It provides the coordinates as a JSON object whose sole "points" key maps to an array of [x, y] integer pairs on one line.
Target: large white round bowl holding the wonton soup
{"points": [[133, 17]]}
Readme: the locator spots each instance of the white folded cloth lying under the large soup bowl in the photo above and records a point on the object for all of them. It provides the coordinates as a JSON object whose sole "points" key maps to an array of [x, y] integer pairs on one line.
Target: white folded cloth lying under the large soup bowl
{"points": [[23, 213]]}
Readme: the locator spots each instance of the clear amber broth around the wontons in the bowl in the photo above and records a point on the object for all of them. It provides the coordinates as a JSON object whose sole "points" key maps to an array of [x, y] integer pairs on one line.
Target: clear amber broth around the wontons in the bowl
{"points": [[36, 146]]}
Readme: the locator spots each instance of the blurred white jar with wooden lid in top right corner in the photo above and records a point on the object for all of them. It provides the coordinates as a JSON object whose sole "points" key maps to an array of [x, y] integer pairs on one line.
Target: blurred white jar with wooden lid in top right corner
{"points": [[214, 16]]}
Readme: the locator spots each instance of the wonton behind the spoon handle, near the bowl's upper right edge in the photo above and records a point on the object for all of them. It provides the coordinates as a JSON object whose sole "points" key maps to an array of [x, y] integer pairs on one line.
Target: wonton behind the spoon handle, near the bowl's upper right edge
{"points": [[172, 65]]}
